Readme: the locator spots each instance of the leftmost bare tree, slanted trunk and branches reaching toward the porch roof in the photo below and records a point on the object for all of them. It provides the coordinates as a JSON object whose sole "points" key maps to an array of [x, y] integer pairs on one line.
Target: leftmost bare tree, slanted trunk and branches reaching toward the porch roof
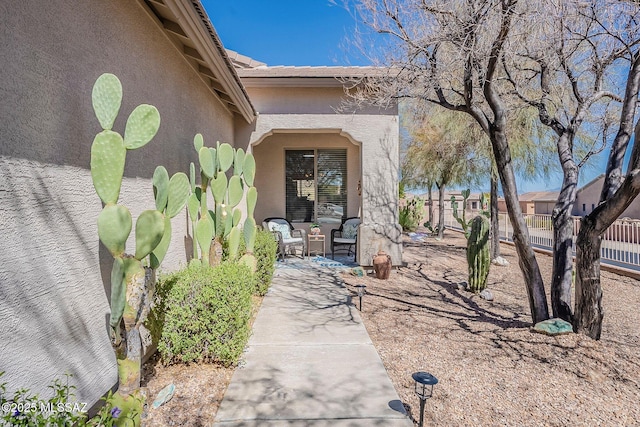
{"points": [[449, 52]]}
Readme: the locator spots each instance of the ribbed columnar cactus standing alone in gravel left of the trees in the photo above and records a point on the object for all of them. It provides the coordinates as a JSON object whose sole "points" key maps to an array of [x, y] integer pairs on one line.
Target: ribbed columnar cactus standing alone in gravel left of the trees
{"points": [[478, 257]]}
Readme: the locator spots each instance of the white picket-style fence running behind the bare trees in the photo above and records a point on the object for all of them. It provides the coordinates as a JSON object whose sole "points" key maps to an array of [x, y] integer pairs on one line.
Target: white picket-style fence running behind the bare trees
{"points": [[620, 243]]}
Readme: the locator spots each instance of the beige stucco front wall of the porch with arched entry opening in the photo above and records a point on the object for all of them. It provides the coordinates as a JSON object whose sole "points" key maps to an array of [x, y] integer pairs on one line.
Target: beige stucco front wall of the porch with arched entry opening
{"points": [[298, 109]]}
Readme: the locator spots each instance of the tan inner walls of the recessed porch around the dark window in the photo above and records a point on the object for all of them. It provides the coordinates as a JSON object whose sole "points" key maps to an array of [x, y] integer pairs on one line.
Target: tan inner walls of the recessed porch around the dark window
{"points": [[270, 172]]}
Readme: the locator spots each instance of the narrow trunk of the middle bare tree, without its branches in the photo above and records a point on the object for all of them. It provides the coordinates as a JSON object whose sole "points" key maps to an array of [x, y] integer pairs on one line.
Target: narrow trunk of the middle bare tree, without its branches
{"points": [[561, 276]]}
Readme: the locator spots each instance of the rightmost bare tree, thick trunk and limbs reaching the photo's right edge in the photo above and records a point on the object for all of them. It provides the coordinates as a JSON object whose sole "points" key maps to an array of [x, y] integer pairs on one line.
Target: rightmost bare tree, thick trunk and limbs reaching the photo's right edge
{"points": [[618, 22]]}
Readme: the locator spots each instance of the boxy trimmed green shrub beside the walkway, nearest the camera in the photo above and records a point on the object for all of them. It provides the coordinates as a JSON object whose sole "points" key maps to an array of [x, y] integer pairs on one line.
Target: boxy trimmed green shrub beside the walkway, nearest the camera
{"points": [[206, 313]]}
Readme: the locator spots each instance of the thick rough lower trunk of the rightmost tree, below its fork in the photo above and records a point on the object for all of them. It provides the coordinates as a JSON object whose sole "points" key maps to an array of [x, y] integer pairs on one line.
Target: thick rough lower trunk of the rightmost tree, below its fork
{"points": [[589, 312]]}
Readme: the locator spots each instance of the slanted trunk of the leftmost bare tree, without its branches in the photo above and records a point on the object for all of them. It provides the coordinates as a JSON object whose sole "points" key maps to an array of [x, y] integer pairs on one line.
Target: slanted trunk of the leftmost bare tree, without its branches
{"points": [[526, 256]]}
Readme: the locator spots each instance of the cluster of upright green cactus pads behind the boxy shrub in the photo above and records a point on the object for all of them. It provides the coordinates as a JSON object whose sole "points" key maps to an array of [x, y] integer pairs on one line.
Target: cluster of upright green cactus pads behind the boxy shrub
{"points": [[222, 223]]}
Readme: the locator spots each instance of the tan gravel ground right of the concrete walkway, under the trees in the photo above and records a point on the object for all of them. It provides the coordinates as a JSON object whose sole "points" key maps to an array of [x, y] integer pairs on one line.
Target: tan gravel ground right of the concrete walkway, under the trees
{"points": [[492, 370]]}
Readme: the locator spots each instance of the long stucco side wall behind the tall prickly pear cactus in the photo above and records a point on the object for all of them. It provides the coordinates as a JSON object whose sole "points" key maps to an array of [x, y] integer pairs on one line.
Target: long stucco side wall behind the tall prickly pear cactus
{"points": [[54, 275]]}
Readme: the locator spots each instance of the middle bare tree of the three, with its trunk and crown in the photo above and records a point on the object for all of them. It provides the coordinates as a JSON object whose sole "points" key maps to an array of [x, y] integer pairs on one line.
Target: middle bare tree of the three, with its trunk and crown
{"points": [[563, 69]]}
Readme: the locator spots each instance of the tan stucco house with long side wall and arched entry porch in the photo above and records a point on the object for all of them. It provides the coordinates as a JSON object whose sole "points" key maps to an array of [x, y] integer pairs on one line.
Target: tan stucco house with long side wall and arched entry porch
{"points": [[54, 274]]}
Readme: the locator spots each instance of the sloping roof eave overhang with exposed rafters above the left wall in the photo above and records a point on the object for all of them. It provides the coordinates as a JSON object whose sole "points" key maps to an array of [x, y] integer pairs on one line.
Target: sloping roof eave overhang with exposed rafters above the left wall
{"points": [[188, 27]]}
